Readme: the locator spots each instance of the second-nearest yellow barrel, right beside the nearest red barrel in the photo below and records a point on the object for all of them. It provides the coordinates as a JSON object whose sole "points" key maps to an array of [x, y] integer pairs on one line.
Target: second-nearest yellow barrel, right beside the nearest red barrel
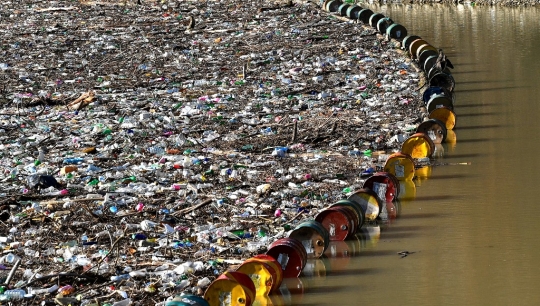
{"points": [[266, 278]]}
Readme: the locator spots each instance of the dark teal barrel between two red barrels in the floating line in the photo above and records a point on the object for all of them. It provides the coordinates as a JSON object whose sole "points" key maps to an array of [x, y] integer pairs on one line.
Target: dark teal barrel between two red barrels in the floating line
{"points": [[313, 236]]}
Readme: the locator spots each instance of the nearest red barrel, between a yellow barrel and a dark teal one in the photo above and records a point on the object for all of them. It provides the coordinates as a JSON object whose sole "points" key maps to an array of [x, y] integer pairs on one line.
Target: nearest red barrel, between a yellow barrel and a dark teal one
{"points": [[290, 254]]}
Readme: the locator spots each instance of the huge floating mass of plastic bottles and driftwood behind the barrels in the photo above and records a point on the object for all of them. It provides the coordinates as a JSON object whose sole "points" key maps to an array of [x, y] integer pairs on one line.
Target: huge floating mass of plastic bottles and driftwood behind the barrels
{"points": [[146, 148]]}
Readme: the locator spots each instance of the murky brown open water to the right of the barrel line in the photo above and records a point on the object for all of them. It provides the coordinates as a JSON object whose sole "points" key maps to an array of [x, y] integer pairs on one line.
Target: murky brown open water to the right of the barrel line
{"points": [[475, 229]]}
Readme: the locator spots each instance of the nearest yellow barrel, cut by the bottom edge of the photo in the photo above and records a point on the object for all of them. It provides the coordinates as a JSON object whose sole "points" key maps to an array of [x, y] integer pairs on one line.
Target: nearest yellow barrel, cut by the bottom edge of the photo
{"points": [[231, 288]]}
